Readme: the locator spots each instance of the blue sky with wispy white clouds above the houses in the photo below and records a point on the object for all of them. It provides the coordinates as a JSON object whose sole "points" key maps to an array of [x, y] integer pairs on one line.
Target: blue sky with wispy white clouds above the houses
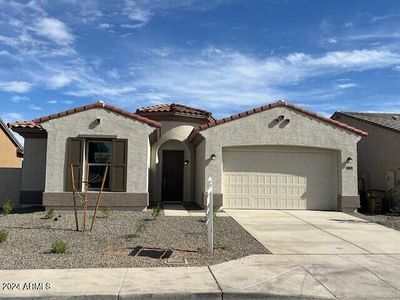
{"points": [[224, 56]]}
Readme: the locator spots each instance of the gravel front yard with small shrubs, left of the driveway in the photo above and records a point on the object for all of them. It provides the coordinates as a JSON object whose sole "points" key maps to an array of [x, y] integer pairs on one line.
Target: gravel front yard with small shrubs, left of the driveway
{"points": [[114, 238]]}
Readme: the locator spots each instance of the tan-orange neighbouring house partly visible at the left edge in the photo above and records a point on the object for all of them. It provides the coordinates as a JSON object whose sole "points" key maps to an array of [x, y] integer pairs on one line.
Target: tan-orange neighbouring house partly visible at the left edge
{"points": [[11, 151]]}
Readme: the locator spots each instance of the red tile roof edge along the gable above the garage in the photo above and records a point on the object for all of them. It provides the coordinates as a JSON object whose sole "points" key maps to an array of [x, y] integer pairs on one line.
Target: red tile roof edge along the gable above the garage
{"points": [[271, 106]]}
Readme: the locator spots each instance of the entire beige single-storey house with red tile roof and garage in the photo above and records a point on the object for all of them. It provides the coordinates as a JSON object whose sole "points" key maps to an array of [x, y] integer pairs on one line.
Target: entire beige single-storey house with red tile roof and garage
{"points": [[276, 156]]}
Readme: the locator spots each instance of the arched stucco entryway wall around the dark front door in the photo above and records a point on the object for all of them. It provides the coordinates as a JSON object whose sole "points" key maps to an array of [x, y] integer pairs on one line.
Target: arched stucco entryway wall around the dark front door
{"points": [[173, 137]]}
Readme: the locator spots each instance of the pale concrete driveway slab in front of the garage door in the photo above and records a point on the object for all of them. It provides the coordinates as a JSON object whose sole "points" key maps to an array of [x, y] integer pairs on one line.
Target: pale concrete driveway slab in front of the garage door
{"points": [[317, 232]]}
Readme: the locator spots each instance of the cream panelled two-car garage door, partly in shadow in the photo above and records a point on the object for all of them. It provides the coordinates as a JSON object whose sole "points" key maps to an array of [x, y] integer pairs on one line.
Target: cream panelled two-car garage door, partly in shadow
{"points": [[280, 179]]}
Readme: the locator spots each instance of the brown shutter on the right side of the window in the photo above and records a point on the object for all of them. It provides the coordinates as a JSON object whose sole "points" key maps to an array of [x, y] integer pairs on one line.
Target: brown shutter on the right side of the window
{"points": [[119, 165]]}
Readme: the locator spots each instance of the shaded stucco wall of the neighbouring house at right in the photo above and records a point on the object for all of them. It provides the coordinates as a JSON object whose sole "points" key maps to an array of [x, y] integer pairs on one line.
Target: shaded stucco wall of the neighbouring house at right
{"points": [[378, 153]]}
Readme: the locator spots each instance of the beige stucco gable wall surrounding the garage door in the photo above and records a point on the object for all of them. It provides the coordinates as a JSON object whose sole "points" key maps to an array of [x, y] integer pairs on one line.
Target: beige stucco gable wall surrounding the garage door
{"points": [[259, 129]]}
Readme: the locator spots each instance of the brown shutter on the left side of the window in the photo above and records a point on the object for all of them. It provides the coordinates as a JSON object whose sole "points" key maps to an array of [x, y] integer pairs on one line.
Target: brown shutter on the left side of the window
{"points": [[75, 157]]}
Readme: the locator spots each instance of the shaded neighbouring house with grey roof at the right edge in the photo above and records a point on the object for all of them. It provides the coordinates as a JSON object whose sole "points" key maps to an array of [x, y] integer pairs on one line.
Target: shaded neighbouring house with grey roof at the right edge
{"points": [[379, 153]]}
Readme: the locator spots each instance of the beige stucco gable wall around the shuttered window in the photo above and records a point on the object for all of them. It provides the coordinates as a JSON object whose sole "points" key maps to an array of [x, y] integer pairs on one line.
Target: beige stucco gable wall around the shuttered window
{"points": [[112, 124]]}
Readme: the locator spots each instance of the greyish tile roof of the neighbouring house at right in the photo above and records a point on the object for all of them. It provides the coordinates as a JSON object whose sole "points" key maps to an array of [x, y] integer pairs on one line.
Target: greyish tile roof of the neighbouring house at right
{"points": [[390, 121]]}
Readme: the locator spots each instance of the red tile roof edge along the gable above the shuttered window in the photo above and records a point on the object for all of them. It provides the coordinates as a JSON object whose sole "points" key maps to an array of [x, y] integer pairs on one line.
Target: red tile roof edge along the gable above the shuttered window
{"points": [[35, 124]]}
